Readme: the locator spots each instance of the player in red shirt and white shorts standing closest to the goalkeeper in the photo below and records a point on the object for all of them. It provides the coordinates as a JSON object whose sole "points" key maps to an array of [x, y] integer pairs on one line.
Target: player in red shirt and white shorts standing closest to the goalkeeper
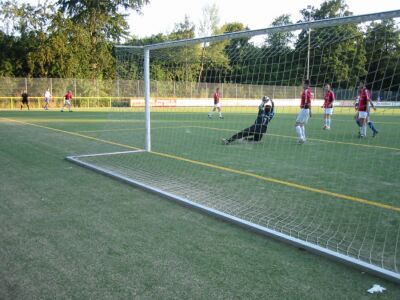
{"points": [[305, 112]]}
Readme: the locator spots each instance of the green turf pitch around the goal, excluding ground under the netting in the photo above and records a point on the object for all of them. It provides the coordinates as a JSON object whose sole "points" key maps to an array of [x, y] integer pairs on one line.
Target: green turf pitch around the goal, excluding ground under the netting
{"points": [[68, 232]]}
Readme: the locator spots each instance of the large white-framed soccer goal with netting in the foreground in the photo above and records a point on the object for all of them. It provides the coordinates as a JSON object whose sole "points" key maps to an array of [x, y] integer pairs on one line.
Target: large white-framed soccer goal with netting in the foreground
{"points": [[336, 194]]}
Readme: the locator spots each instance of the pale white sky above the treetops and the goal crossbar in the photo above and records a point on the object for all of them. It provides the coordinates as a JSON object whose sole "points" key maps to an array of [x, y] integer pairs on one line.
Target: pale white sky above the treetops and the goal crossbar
{"points": [[160, 16]]}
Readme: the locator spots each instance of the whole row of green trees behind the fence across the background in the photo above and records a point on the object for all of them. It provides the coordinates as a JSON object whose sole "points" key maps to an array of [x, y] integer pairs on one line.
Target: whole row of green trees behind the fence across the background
{"points": [[76, 38]]}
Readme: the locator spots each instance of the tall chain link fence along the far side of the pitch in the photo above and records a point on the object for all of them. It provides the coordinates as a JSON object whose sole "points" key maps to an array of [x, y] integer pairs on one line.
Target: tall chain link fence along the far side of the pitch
{"points": [[93, 93]]}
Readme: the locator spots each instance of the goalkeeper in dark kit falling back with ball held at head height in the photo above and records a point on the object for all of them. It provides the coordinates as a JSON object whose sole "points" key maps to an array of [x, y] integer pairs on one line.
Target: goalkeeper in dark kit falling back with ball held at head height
{"points": [[256, 131]]}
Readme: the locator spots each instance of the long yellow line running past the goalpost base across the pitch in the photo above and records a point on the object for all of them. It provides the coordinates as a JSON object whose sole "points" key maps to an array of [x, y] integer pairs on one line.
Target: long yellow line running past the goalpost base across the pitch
{"points": [[221, 168]]}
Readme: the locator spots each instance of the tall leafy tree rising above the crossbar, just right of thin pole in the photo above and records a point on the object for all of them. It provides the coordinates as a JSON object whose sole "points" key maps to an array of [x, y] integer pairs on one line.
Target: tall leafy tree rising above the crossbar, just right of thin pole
{"points": [[337, 51]]}
